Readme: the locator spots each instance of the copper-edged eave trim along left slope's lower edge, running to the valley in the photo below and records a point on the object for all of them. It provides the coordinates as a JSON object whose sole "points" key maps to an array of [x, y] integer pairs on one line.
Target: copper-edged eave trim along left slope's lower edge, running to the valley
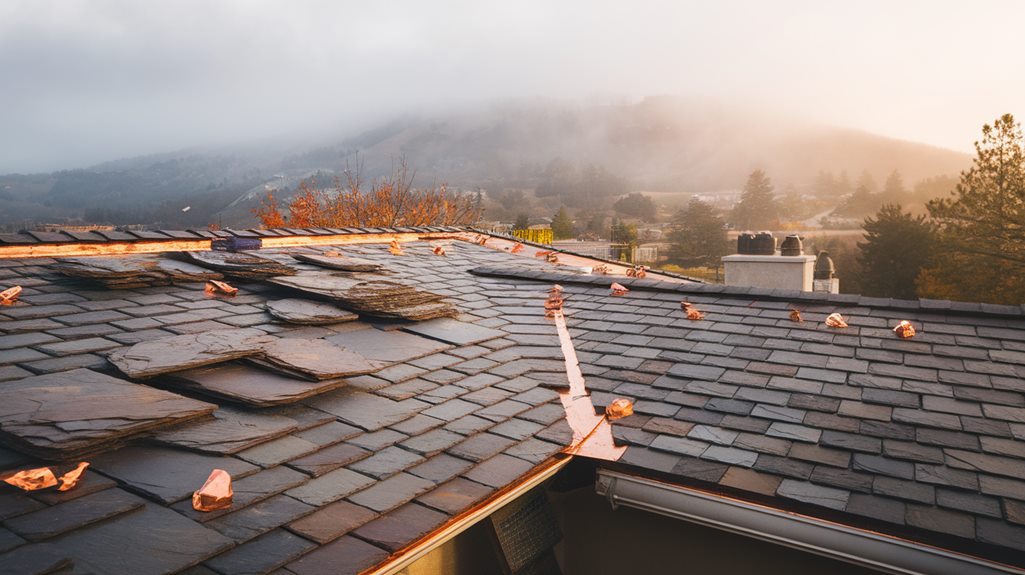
{"points": [[406, 557]]}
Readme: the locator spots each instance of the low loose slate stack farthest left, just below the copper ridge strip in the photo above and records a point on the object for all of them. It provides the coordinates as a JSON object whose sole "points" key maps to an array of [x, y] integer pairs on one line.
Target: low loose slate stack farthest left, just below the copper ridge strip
{"points": [[134, 272]]}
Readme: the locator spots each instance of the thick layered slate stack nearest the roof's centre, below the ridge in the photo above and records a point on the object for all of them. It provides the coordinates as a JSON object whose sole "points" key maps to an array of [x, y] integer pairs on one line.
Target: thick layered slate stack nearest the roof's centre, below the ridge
{"points": [[372, 296]]}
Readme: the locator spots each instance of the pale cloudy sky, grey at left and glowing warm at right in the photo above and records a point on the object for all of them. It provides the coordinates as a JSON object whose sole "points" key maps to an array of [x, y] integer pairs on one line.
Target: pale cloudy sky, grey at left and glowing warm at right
{"points": [[83, 83]]}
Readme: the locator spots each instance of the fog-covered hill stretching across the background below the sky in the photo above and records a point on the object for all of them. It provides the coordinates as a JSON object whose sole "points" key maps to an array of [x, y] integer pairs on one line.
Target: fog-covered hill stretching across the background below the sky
{"points": [[660, 144]]}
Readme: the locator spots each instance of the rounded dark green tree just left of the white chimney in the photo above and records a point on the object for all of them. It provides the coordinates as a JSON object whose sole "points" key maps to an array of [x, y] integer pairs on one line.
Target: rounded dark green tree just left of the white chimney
{"points": [[699, 236]]}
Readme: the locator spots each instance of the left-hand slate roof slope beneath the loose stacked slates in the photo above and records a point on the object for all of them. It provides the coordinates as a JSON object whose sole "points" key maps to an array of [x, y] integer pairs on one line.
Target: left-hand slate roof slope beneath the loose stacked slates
{"points": [[333, 484]]}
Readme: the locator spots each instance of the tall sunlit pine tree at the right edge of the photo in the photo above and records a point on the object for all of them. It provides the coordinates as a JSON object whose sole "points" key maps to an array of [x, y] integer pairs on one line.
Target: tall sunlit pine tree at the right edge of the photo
{"points": [[982, 224]]}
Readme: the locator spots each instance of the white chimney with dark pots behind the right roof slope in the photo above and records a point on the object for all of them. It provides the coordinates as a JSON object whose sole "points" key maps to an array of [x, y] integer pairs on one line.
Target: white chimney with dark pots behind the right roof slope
{"points": [[757, 264]]}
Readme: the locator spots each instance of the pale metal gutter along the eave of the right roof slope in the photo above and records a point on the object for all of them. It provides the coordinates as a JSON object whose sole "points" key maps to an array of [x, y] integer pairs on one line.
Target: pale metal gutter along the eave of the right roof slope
{"points": [[863, 548]]}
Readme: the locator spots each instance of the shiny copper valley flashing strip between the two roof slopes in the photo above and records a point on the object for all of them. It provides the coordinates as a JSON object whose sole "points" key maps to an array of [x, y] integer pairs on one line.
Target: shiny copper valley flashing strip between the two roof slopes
{"points": [[592, 433]]}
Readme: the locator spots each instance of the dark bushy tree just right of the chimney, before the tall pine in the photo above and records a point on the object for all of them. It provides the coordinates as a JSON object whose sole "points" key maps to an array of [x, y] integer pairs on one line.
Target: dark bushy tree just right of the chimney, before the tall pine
{"points": [[897, 247]]}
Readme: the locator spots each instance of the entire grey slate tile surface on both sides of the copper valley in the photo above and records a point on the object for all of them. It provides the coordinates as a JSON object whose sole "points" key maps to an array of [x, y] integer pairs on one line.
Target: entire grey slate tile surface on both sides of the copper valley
{"points": [[920, 438]]}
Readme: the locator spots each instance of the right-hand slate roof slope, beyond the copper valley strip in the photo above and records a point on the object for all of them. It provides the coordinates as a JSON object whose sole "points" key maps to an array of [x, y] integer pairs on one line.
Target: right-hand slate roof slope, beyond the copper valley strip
{"points": [[923, 438]]}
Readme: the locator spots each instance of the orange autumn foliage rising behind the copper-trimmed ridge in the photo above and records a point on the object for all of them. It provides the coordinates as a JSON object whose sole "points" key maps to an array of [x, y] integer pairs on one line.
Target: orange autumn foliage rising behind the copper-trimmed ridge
{"points": [[392, 202]]}
